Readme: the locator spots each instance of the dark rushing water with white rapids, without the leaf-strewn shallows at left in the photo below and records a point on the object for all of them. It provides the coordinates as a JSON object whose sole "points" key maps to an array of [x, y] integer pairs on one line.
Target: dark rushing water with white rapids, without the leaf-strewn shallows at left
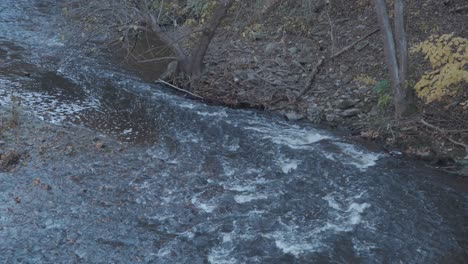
{"points": [[260, 190]]}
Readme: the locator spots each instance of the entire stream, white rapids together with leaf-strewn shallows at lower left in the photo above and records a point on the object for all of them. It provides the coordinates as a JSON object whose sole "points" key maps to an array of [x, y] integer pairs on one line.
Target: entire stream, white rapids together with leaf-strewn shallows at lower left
{"points": [[100, 166]]}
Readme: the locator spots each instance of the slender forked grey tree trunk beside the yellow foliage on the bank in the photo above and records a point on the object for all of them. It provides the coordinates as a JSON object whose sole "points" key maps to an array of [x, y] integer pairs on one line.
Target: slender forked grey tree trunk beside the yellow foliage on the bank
{"points": [[396, 55]]}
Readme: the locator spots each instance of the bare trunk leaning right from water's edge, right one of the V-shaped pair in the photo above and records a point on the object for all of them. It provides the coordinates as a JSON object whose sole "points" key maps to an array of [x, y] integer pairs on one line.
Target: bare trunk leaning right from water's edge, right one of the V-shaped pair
{"points": [[199, 52]]}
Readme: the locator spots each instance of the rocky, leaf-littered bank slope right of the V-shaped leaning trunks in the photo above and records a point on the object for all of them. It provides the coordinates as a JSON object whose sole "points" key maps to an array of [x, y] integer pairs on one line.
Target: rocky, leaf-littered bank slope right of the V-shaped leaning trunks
{"points": [[333, 74]]}
